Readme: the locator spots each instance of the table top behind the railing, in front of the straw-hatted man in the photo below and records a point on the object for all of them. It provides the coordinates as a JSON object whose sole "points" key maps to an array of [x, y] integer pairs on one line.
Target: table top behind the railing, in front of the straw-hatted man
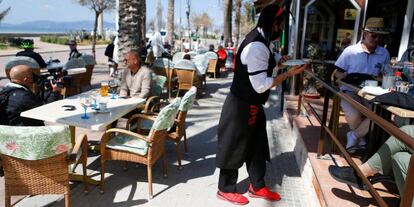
{"points": [[405, 113]]}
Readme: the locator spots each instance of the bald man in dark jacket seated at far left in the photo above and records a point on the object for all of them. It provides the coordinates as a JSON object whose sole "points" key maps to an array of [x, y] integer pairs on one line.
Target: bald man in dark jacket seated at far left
{"points": [[18, 97]]}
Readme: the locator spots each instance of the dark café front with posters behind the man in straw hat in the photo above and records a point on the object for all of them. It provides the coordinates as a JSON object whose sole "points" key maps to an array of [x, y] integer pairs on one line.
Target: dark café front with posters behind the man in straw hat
{"points": [[334, 24]]}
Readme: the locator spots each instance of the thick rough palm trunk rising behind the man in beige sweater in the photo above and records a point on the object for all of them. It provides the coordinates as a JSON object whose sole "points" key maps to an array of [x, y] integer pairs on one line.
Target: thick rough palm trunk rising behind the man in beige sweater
{"points": [[131, 25]]}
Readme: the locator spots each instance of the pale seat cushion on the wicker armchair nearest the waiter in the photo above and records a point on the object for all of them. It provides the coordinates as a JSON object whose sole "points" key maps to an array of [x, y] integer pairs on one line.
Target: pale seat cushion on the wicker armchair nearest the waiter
{"points": [[129, 144]]}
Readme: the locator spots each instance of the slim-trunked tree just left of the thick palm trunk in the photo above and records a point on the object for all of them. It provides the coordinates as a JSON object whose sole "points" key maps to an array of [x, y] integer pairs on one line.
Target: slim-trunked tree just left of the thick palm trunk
{"points": [[98, 6]]}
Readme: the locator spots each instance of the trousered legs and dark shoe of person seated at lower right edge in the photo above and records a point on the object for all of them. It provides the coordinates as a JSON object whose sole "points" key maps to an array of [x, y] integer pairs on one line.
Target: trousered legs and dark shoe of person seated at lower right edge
{"points": [[392, 158]]}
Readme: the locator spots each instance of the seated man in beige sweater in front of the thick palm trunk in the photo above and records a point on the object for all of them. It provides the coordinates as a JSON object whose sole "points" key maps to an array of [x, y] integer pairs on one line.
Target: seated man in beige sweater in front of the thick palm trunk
{"points": [[137, 79]]}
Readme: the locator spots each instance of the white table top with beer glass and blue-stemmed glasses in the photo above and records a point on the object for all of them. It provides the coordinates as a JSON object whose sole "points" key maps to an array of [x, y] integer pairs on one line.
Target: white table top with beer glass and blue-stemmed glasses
{"points": [[53, 112]]}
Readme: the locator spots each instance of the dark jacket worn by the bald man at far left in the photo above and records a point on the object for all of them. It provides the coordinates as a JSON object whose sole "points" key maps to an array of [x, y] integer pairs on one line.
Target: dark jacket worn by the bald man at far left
{"points": [[21, 99]]}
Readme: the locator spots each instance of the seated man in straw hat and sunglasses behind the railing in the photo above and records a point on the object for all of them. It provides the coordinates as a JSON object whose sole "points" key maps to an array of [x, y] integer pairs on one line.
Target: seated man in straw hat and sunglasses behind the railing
{"points": [[365, 57]]}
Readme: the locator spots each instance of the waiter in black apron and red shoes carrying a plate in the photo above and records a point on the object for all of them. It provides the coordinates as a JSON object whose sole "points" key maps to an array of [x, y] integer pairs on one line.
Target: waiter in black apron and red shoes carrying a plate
{"points": [[242, 136]]}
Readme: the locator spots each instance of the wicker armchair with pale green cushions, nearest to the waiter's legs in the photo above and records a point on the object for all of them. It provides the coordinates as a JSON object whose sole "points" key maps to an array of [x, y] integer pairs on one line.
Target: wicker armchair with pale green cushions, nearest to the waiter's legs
{"points": [[134, 147]]}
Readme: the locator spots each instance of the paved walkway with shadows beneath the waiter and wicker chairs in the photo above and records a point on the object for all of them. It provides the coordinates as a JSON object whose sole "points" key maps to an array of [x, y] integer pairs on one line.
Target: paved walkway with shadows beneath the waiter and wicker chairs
{"points": [[196, 183]]}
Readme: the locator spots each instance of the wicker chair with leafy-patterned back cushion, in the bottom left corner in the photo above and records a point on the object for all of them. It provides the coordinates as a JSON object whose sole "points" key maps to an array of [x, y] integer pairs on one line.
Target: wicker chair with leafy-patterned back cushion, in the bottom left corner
{"points": [[37, 162]]}
